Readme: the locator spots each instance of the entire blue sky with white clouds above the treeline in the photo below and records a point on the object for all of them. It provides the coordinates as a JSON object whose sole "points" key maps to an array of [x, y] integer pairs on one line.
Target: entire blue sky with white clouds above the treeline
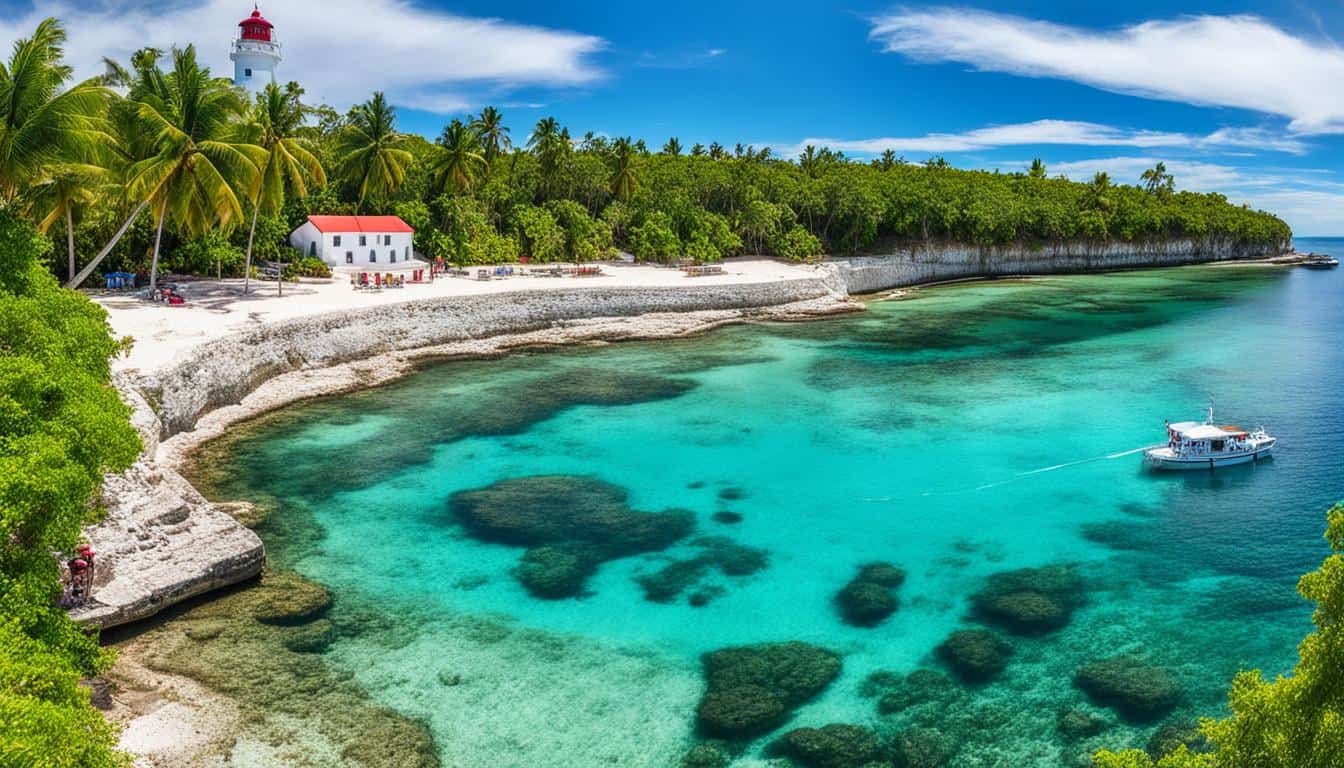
{"points": [[1247, 99]]}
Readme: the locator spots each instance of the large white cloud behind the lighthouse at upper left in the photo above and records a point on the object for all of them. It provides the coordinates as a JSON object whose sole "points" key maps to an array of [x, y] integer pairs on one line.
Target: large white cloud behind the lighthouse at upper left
{"points": [[341, 50]]}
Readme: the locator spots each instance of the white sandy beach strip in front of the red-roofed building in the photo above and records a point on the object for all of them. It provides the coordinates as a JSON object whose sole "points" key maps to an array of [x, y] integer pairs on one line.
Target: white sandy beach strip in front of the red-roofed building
{"points": [[216, 309]]}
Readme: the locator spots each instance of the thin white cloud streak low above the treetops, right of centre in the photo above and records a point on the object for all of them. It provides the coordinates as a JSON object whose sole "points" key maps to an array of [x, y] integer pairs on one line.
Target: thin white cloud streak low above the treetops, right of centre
{"points": [[1042, 132]]}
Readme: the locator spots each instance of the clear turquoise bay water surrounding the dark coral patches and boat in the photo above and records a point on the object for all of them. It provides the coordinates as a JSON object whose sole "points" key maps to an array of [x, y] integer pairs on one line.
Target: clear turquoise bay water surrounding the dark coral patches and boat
{"points": [[963, 432]]}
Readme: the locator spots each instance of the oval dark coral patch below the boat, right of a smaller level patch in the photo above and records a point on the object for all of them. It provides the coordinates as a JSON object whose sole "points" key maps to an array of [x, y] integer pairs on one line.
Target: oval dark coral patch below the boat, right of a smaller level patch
{"points": [[1032, 601]]}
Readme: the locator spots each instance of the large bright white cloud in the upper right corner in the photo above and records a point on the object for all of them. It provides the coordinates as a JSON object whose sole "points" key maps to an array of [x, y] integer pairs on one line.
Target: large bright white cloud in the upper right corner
{"points": [[1221, 61]]}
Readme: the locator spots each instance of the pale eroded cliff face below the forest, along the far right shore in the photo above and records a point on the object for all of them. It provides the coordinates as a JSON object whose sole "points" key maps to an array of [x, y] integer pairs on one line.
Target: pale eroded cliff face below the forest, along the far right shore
{"points": [[939, 263]]}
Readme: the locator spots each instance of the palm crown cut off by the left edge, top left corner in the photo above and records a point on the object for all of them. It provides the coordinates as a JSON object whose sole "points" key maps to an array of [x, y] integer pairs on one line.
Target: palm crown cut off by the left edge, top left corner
{"points": [[41, 124]]}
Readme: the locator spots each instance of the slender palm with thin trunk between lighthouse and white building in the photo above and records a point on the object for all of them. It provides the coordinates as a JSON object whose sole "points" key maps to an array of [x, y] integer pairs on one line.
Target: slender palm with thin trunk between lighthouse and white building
{"points": [[278, 128]]}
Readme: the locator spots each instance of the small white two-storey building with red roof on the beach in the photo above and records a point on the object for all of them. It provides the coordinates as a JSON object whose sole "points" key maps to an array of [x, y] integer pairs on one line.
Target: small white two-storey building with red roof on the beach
{"points": [[358, 244]]}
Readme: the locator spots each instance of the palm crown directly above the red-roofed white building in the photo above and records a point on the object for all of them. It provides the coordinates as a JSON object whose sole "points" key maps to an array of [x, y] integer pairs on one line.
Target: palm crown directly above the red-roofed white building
{"points": [[370, 153]]}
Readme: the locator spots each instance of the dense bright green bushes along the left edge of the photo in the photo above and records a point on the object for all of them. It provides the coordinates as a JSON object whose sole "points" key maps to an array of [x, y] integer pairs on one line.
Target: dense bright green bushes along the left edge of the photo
{"points": [[62, 426]]}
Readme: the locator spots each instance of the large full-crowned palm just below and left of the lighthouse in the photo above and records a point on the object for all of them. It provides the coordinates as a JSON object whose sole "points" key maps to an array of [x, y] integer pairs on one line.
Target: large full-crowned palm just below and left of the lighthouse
{"points": [[193, 119]]}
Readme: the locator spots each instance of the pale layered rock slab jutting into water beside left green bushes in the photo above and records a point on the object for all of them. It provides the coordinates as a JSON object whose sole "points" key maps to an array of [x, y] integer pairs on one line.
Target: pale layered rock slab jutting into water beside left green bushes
{"points": [[161, 543]]}
